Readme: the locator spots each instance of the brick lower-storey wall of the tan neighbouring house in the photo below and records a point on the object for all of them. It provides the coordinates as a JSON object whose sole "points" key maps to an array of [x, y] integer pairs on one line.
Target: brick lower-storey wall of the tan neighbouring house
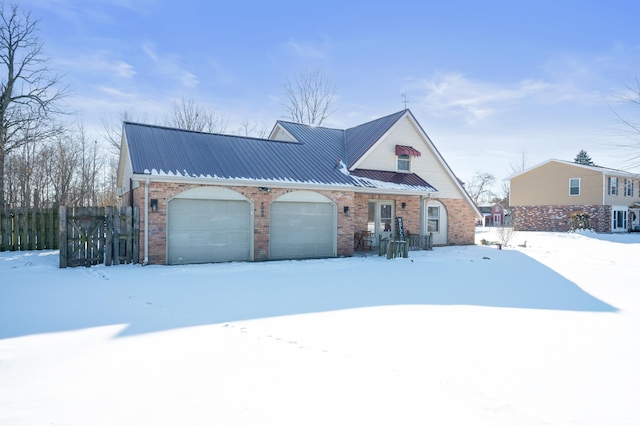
{"points": [[558, 218]]}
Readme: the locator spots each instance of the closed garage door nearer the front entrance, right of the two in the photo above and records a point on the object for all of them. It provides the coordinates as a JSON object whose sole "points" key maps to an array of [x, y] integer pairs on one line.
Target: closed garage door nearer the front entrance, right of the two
{"points": [[302, 230]]}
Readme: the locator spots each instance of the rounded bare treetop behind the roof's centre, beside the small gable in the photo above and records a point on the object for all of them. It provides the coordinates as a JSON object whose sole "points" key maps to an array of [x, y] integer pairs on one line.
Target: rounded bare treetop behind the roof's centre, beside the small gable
{"points": [[309, 97]]}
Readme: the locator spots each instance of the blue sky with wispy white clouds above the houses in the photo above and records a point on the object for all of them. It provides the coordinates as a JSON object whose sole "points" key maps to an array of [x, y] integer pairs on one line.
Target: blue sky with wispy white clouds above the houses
{"points": [[486, 80]]}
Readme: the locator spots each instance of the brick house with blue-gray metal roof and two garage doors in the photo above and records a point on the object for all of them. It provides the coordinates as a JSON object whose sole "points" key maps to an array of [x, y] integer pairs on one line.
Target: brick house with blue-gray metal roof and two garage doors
{"points": [[302, 193]]}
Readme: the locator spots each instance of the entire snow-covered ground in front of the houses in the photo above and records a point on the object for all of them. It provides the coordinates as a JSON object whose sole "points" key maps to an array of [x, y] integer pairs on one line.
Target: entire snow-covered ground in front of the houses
{"points": [[543, 334]]}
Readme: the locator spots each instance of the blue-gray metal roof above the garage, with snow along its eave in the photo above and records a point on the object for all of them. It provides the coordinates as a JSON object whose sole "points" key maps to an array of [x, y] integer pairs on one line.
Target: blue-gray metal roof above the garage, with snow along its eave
{"points": [[317, 157]]}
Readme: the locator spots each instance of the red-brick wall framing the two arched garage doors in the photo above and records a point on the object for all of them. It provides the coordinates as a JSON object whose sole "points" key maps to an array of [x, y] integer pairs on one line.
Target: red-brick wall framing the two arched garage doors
{"points": [[164, 191]]}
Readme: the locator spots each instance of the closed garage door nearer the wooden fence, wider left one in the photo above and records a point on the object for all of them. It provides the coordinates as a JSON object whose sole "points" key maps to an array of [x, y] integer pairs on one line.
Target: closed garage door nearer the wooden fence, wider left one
{"points": [[204, 231]]}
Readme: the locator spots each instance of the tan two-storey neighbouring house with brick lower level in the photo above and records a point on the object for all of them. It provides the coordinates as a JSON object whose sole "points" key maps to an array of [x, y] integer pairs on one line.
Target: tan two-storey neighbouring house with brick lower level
{"points": [[544, 197]]}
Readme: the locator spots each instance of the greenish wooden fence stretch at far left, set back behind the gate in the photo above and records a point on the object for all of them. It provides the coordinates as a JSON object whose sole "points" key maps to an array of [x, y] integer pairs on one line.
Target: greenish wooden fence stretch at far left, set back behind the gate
{"points": [[28, 229]]}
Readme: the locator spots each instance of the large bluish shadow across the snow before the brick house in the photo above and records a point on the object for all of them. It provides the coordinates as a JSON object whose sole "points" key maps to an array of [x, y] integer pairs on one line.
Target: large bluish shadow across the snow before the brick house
{"points": [[158, 298]]}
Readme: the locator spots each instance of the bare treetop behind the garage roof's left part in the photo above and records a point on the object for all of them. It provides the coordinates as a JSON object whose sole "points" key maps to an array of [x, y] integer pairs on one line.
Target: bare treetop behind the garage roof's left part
{"points": [[190, 115]]}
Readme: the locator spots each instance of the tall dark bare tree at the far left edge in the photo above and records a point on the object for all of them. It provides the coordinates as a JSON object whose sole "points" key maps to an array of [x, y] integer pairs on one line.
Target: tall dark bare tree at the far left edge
{"points": [[28, 88]]}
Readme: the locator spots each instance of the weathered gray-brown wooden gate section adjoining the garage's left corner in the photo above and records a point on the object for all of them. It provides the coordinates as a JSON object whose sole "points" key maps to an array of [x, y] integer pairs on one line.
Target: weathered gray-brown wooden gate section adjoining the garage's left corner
{"points": [[95, 235]]}
